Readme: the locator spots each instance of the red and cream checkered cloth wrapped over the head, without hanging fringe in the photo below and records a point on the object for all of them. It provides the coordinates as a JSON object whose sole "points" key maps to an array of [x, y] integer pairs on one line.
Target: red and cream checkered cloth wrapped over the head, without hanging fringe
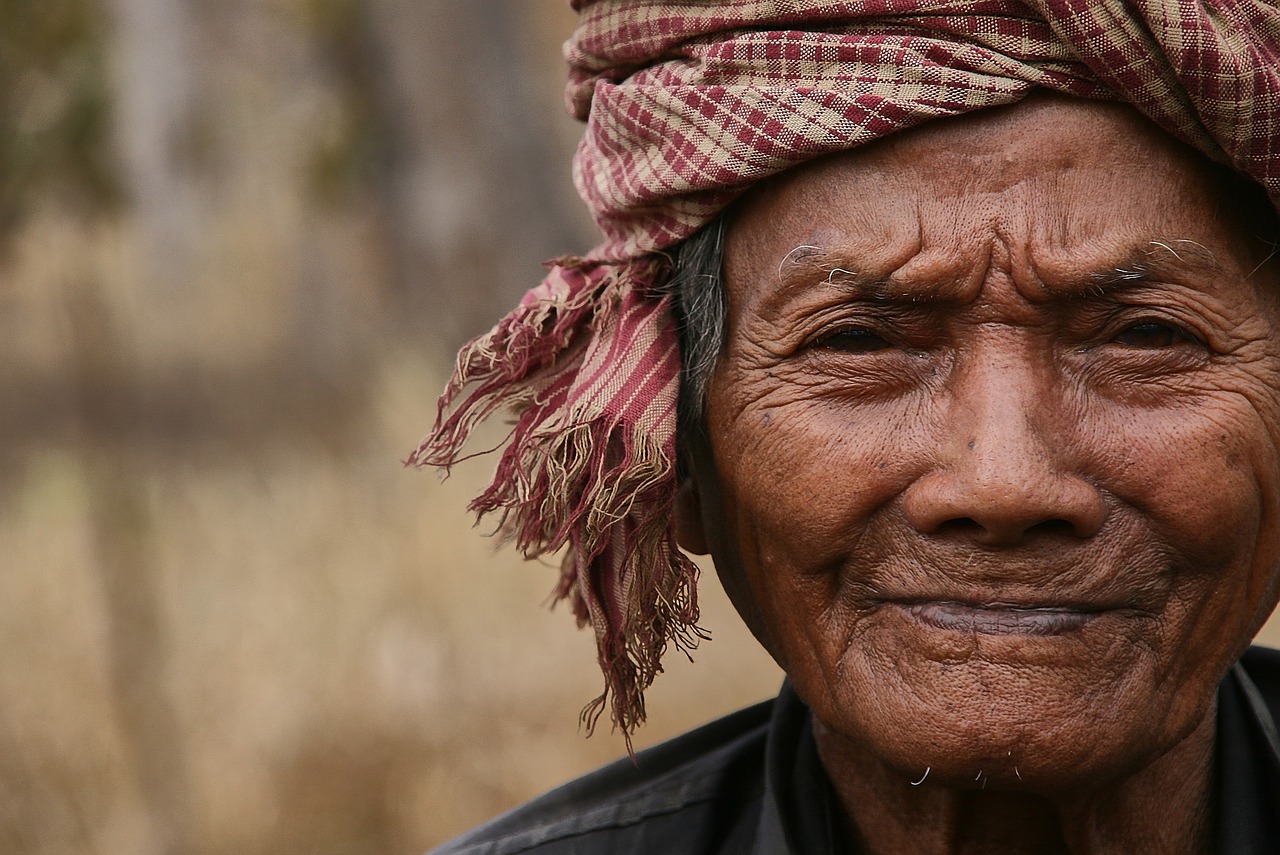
{"points": [[691, 103]]}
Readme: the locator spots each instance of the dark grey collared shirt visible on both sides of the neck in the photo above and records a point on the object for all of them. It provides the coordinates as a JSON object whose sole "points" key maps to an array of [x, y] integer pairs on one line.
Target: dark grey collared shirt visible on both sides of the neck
{"points": [[752, 784]]}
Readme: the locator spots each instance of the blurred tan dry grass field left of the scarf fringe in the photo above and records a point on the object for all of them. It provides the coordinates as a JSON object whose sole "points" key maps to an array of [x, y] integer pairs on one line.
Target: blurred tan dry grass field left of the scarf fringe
{"points": [[264, 634]]}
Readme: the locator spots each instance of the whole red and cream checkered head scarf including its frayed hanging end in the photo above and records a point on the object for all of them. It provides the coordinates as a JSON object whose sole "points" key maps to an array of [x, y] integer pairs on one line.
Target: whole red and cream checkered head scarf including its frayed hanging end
{"points": [[687, 106]]}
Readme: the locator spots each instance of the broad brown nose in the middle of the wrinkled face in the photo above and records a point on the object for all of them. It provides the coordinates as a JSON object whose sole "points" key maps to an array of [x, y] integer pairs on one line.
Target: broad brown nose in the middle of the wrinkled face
{"points": [[1003, 473]]}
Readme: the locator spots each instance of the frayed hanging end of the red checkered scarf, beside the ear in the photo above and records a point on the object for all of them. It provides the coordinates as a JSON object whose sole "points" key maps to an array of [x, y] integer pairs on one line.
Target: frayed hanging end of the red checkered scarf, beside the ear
{"points": [[582, 473]]}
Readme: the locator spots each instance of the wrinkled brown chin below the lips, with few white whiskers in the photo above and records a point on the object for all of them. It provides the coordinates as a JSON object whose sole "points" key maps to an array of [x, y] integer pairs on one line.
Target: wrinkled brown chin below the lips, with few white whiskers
{"points": [[1034, 715]]}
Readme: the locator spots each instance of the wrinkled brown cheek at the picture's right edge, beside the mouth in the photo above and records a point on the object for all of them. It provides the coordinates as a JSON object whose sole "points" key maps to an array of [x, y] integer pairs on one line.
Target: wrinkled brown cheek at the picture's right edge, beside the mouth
{"points": [[1203, 483]]}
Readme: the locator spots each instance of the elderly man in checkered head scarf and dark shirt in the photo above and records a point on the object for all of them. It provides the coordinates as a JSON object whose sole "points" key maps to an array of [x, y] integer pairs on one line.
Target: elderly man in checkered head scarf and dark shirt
{"points": [[980, 422]]}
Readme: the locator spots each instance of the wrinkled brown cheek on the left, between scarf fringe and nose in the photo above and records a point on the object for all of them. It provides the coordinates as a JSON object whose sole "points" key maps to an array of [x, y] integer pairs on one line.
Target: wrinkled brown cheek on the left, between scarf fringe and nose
{"points": [[802, 484]]}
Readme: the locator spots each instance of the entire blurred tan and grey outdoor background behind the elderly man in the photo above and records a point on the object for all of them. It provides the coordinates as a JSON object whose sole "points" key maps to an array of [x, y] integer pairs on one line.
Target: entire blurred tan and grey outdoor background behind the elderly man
{"points": [[240, 241]]}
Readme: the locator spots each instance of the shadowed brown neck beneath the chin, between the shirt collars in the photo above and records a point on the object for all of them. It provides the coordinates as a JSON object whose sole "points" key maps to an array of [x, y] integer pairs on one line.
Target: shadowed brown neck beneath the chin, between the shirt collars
{"points": [[1160, 810]]}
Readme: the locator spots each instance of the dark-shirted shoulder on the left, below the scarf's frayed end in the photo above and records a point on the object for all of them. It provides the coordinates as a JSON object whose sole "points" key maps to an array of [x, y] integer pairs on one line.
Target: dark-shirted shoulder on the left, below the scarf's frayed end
{"points": [[687, 795]]}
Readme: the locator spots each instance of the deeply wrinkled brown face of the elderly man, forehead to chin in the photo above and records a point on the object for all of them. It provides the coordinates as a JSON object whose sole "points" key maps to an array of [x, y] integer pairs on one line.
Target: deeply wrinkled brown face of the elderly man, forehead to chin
{"points": [[993, 463]]}
